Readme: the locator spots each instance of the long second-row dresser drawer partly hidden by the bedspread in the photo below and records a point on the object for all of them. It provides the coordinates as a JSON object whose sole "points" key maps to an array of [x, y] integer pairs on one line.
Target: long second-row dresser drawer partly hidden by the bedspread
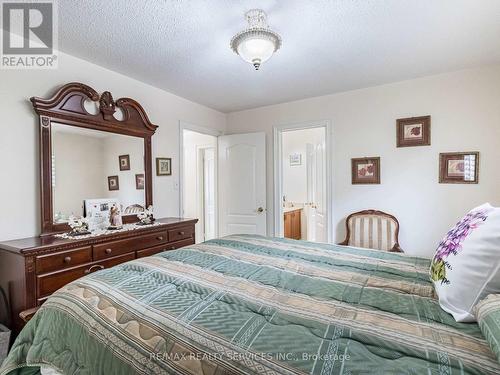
{"points": [[50, 282]]}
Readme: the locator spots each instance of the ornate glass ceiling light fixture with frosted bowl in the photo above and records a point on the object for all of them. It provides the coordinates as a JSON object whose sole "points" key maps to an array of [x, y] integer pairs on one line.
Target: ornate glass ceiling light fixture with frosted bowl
{"points": [[257, 43]]}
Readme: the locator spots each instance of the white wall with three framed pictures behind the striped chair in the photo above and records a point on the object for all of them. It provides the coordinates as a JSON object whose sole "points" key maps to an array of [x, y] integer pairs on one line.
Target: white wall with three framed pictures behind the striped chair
{"points": [[465, 110]]}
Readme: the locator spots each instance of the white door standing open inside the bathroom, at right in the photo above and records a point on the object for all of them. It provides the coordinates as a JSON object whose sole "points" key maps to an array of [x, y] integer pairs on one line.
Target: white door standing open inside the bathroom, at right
{"points": [[320, 233]]}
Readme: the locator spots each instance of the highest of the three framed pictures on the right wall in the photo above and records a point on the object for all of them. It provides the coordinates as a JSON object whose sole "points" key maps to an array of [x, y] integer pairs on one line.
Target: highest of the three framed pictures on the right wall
{"points": [[413, 131]]}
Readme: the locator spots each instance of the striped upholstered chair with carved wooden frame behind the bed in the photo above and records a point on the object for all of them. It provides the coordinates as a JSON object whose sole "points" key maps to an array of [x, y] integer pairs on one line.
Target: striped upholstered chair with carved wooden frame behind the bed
{"points": [[373, 230]]}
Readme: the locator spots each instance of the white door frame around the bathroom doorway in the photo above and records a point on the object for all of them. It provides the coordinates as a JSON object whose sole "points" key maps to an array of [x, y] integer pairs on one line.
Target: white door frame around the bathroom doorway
{"points": [[278, 131]]}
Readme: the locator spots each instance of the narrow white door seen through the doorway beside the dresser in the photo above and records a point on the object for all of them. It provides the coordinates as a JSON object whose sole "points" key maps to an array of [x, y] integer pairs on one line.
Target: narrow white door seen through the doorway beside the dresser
{"points": [[209, 193]]}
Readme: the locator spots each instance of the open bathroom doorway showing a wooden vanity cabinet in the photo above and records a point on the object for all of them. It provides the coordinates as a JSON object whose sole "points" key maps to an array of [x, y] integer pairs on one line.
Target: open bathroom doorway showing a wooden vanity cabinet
{"points": [[303, 182]]}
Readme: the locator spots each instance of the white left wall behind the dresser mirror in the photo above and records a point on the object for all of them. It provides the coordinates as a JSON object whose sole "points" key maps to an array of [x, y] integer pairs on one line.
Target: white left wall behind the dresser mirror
{"points": [[19, 160]]}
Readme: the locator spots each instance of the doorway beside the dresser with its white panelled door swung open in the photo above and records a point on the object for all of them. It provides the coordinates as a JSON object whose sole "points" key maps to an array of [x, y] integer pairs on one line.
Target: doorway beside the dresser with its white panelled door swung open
{"points": [[222, 181]]}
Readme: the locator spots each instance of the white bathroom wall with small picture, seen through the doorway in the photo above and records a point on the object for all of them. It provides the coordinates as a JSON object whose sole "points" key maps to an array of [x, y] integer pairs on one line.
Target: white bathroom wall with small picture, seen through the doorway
{"points": [[295, 176]]}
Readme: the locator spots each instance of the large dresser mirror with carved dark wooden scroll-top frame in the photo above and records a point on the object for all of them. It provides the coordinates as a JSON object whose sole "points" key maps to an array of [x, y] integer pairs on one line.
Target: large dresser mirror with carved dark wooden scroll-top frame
{"points": [[95, 153]]}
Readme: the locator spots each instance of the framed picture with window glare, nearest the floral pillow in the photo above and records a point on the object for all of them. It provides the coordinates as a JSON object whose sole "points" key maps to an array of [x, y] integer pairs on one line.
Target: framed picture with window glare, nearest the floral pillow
{"points": [[459, 167]]}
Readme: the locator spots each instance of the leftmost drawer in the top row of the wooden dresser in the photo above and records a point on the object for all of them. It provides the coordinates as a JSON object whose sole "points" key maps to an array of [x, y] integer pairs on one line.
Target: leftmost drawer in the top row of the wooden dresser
{"points": [[64, 259]]}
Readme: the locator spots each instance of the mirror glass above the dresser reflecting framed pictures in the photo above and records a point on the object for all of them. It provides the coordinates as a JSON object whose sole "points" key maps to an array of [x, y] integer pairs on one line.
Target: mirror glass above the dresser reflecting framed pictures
{"points": [[94, 171]]}
